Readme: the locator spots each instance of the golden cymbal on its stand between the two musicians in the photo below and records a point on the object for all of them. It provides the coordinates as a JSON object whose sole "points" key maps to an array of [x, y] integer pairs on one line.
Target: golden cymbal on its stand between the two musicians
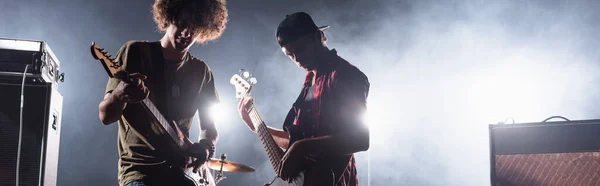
{"points": [[221, 165]]}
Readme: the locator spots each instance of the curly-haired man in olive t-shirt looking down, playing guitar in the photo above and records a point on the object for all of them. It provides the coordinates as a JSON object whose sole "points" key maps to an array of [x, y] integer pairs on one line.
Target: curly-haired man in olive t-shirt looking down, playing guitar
{"points": [[178, 83]]}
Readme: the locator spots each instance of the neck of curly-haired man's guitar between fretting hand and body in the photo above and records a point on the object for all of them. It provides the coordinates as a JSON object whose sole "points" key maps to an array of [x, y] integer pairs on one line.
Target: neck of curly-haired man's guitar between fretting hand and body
{"points": [[174, 133]]}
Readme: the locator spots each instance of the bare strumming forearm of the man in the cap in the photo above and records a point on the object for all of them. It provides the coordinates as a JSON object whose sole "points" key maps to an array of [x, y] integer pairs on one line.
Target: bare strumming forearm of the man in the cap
{"points": [[337, 144]]}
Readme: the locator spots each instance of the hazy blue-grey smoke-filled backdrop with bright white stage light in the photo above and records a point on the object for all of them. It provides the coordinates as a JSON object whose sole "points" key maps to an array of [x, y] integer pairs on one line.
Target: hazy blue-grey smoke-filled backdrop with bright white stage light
{"points": [[440, 72]]}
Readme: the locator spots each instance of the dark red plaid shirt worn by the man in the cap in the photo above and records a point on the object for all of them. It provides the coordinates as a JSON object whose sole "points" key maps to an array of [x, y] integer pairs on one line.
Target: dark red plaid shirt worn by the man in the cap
{"points": [[338, 101]]}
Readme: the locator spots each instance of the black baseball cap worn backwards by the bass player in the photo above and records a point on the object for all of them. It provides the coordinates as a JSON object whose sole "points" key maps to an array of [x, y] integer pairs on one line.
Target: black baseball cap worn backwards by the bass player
{"points": [[296, 25]]}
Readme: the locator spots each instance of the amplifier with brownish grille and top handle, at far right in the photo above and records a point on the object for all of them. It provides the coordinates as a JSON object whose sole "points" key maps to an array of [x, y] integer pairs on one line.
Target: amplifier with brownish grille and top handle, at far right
{"points": [[545, 153]]}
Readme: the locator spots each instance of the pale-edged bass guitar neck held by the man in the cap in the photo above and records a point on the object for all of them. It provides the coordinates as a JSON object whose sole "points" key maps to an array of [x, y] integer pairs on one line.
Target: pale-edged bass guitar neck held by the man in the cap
{"points": [[274, 153]]}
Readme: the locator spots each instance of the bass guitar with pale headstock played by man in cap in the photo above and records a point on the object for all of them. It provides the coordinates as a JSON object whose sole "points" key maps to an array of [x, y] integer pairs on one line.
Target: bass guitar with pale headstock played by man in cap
{"points": [[315, 172]]}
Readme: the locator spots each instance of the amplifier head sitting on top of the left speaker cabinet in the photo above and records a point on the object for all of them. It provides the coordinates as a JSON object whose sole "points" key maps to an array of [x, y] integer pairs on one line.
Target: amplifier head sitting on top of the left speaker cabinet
{"points": [[15, 54]]}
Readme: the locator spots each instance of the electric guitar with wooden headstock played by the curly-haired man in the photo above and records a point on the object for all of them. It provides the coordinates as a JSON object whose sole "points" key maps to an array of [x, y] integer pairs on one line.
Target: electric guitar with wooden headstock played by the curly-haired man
{"points": [[177, 143]]}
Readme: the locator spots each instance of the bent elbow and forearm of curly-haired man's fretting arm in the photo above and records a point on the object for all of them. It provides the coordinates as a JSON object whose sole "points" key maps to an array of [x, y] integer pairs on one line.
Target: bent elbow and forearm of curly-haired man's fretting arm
{"points": [[110, 109]]}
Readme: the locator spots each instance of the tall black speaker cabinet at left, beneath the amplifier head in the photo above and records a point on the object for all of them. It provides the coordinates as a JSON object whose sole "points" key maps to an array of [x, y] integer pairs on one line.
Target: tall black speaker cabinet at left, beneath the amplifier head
{"points": [[41, 119]]}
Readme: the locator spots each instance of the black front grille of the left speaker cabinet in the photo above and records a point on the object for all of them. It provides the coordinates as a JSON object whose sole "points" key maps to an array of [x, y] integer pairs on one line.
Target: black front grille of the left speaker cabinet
{"points": [[34, 114]]}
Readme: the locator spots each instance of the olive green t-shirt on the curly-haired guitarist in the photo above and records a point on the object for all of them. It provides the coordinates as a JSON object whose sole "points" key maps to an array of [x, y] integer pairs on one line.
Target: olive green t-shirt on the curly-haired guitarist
{"points": [[177, 89]]}
